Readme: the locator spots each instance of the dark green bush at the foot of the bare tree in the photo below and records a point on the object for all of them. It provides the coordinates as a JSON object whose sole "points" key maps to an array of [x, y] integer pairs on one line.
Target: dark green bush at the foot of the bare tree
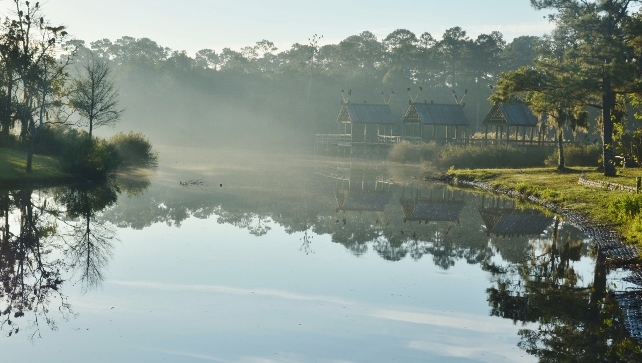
{"points": [[90, 158]]}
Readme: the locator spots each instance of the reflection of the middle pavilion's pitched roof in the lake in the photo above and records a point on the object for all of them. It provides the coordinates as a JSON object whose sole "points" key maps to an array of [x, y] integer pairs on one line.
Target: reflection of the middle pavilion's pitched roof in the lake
{"points": [[424, 209]]}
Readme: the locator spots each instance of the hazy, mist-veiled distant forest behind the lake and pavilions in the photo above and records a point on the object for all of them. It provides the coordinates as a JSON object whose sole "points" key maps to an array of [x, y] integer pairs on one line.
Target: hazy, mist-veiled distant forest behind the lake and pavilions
{"points": [[262, 99]]}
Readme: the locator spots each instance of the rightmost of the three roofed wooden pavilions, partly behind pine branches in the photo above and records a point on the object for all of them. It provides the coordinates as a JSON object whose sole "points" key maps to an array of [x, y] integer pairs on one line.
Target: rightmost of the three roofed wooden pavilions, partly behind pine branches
{"points": [[507, 116]]}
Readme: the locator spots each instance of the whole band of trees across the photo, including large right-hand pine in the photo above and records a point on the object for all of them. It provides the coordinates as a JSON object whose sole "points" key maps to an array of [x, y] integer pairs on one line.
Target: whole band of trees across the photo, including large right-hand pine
{"points": [[584, 75]]}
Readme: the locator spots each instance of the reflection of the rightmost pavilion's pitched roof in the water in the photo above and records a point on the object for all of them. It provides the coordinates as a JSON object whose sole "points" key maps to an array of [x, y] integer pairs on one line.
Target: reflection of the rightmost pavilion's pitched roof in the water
{"points": [[508, 221]]}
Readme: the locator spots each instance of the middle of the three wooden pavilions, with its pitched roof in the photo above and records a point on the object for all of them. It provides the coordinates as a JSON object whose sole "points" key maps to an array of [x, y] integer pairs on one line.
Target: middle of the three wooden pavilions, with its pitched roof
{"points": [[439, 119]]}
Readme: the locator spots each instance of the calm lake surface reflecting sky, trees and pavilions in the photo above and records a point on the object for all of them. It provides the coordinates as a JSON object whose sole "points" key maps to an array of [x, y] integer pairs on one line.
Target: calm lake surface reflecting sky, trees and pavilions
{"points": [[273, 258]]}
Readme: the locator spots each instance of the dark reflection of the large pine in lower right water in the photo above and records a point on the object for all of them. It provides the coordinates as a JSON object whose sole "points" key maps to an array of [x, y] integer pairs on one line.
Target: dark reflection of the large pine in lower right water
{"points": [[575, 321]]}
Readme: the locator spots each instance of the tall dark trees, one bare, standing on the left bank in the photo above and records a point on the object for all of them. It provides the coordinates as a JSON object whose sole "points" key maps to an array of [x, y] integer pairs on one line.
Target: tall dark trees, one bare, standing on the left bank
{"points": [[39, 91]]}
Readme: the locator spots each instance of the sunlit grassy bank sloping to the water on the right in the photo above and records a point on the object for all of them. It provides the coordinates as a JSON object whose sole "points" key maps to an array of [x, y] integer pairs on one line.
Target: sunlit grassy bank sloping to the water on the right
{"points": [[614, 210]]}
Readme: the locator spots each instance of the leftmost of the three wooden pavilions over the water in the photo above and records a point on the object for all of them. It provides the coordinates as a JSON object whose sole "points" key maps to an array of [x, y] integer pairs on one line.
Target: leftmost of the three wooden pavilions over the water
{"points": [[367, 123]]}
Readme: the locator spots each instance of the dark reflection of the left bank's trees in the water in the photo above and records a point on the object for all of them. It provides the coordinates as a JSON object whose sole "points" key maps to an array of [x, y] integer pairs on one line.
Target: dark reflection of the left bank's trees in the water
{"points": [[47, 236]]}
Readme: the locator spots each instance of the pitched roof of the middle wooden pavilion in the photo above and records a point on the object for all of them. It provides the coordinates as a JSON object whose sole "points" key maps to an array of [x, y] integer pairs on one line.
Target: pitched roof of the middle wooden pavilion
{"points": [[436, 114]]}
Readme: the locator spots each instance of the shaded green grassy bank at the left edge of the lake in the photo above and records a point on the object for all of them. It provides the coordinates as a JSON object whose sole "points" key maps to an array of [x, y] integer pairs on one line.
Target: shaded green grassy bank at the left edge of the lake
{"points": [[46, 170]]}
